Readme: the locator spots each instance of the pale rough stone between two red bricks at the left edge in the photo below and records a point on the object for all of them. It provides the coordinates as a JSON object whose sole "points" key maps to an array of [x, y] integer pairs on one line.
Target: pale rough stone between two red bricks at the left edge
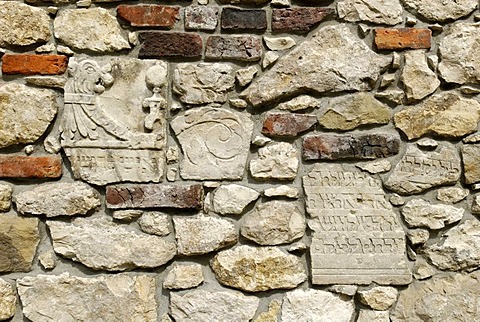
{"points": [[38, 108]]}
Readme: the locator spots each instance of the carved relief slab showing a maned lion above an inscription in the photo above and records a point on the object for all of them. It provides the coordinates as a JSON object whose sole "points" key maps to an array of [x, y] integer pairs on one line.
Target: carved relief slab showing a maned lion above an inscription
{"points": [[106, 134]]}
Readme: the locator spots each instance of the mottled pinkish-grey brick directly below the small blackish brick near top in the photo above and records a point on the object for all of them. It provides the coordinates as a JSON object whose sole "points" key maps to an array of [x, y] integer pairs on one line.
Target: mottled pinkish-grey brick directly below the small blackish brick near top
{"points": [[246, 48]]}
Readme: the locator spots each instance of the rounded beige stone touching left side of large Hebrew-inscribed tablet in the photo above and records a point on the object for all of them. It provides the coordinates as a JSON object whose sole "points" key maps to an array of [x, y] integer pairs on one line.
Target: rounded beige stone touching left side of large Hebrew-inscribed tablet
{"points": [[274, 223]]}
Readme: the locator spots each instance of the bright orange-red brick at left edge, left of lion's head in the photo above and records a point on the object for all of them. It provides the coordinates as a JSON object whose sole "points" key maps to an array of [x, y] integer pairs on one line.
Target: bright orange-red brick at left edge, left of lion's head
{"points": [[30, 64]]}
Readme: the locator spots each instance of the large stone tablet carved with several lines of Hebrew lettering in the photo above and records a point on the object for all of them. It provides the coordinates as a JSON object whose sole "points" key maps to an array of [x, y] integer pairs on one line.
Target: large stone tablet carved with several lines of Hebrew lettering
{"points": [[357, 238]]}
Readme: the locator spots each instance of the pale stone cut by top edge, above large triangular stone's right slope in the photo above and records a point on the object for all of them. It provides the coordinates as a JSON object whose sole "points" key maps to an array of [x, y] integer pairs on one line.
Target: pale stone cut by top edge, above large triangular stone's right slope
{"points": [[386, 12]]}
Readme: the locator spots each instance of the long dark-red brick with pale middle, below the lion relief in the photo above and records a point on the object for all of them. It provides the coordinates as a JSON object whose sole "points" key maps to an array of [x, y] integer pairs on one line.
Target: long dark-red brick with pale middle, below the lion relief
{"points": [[155, 195]]}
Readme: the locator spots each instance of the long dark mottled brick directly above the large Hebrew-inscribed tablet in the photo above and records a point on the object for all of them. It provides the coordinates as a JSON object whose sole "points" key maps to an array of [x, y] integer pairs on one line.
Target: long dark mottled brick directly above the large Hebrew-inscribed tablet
{"points": [[360, 146]]}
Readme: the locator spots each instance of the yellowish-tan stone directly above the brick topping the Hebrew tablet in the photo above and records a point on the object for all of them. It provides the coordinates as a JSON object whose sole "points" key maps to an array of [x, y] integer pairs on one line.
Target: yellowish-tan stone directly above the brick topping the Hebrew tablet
{"points": [[350, 111]]}
